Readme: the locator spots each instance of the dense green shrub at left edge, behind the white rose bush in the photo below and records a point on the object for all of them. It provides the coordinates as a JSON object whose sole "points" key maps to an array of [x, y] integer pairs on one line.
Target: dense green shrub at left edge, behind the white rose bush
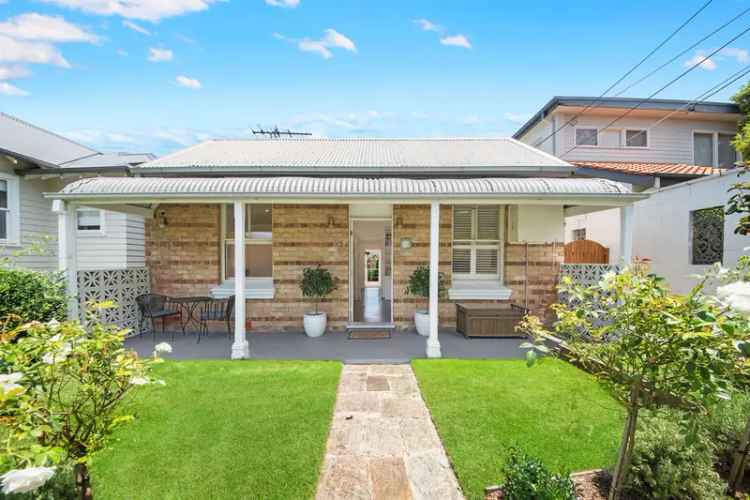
{"points": [[31, 296]]}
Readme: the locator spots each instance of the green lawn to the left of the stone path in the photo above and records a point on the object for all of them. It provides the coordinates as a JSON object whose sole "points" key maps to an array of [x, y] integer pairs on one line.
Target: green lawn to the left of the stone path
{"points": [[223, 430]]}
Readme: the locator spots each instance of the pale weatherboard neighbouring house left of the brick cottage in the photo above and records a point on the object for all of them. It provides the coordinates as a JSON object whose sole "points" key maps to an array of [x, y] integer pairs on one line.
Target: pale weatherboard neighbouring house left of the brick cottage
{"points": [[34, 161]]}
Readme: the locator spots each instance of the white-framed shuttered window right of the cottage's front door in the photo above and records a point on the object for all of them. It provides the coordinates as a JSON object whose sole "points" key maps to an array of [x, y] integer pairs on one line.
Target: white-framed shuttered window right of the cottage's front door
{"points": [[477, 234]]}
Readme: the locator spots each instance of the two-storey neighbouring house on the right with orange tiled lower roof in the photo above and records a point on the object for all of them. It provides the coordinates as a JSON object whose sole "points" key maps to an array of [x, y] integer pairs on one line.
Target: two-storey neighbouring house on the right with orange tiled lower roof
{"points": [[678, 151]]}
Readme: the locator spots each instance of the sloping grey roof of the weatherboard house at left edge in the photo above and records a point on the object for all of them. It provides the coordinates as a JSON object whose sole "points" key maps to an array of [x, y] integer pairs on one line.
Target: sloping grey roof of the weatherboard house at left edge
{"points": [[30, 141]]}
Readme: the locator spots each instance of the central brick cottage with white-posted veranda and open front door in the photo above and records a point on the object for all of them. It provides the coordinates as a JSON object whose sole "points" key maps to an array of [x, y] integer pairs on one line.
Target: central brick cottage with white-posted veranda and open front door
{"points": [[487, 213]]}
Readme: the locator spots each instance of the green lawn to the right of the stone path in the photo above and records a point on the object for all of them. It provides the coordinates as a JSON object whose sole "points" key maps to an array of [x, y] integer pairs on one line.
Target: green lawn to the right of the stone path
{"points": [[551, 410]]}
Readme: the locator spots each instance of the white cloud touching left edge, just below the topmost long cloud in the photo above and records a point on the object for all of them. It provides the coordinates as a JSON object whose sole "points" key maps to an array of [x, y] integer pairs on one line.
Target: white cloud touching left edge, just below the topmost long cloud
{"points": [[33, 26]]}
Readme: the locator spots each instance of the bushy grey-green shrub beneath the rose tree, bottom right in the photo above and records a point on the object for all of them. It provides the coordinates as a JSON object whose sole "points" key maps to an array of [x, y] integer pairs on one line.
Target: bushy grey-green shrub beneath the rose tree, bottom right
{"points": [[670, 463]]}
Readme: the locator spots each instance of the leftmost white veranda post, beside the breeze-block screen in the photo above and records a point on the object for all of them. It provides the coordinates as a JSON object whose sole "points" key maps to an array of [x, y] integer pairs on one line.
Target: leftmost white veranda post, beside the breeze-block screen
{"points": [[67, 252]]}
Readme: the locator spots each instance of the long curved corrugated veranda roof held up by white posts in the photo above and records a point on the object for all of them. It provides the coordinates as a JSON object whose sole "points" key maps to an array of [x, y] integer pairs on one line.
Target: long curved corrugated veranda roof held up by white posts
{"points": [[160, 187]]}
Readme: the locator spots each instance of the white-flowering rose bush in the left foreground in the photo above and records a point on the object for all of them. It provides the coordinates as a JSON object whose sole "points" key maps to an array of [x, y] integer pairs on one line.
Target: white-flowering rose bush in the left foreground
{"points": [[61, 389]]}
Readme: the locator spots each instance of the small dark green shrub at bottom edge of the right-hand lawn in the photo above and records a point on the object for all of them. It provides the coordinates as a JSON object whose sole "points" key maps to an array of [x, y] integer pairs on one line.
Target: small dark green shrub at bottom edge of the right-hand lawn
{"points": [[526, 477]]}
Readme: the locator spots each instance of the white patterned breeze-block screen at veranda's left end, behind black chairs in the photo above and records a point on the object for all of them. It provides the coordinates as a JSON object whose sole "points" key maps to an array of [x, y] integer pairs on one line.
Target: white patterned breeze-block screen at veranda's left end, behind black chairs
{"points": [[119, 285]]}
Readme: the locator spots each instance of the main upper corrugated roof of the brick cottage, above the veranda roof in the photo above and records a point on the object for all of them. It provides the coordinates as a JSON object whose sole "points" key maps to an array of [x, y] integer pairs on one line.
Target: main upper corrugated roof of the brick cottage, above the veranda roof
{"points": [[352, 154]]}
